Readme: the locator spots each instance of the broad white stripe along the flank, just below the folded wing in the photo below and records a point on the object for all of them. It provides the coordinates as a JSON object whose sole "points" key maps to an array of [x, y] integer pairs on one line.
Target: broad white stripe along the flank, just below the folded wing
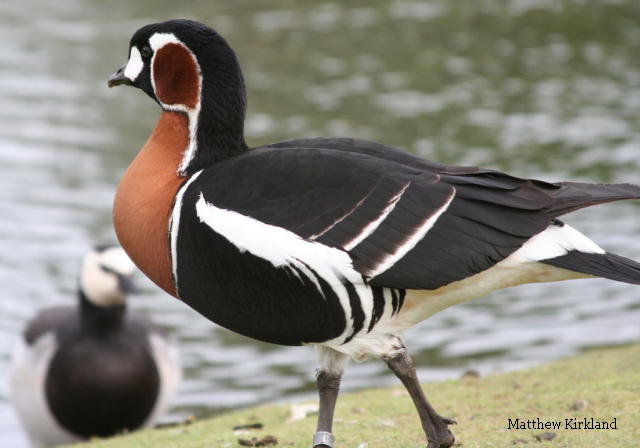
{"points": [[282, 248]]}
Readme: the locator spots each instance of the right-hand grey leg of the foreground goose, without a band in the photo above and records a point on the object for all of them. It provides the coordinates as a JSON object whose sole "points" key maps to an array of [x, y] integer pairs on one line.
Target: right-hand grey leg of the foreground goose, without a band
{"points": [[435, 427]]}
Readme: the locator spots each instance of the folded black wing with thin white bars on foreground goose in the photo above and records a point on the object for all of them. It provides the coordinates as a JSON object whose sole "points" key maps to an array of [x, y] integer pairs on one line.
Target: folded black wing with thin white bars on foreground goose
{"points": [[406, 222]]}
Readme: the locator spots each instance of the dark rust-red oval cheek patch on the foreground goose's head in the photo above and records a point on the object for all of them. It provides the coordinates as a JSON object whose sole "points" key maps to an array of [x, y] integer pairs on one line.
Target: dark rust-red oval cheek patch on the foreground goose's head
{"points": [[176, 76]]}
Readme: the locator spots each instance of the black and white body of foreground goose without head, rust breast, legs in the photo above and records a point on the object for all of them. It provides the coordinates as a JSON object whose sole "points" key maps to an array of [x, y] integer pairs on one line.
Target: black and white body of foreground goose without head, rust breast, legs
{"points": [[352, 230]]}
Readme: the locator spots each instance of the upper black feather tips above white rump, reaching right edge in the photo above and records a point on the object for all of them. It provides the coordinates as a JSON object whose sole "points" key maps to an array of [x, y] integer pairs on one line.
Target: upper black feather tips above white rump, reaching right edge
{"points": [[573, 196]]}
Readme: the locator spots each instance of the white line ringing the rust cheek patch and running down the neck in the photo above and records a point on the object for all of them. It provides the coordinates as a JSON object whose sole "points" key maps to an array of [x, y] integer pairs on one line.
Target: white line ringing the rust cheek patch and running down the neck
{"points": [[157, 41]]}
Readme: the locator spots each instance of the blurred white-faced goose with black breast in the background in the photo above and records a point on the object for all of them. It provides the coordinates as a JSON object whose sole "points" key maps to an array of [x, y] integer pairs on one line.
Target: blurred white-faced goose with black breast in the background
{"points": [[95, 369]]}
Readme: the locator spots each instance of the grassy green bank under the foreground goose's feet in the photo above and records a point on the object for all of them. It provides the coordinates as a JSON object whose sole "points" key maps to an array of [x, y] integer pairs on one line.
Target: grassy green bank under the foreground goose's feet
{"points": [[603, 384]]}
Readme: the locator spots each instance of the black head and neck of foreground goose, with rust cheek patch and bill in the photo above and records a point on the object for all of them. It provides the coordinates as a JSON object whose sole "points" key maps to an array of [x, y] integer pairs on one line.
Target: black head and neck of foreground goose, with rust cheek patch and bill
{"points": [[189, 68]]}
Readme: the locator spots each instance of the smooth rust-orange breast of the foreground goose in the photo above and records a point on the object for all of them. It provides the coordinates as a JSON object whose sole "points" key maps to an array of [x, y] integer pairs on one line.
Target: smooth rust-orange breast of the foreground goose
{"points": [[142, 206]]}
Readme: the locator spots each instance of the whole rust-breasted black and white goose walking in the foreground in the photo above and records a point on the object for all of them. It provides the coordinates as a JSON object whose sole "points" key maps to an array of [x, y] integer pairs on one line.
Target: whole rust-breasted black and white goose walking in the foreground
{"points": [[336, 242]]}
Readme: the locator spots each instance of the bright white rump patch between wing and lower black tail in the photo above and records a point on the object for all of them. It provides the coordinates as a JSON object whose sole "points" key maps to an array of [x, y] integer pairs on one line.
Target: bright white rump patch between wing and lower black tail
{"points": [[554, 242]]}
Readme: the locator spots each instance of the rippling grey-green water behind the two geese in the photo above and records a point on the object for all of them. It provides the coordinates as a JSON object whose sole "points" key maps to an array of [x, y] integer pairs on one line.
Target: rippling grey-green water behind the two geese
{"points": [[547, 89]]}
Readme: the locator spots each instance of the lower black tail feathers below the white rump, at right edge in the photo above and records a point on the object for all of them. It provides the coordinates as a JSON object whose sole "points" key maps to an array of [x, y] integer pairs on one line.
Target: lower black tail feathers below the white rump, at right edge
{"points": [[611, 266]]}
